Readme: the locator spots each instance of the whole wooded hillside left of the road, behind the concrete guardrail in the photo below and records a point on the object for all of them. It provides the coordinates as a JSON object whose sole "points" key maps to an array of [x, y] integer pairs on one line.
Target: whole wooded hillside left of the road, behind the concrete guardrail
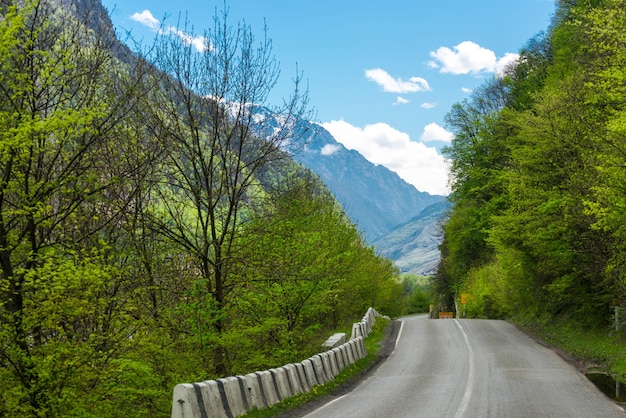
{"points": [[147, 236]]}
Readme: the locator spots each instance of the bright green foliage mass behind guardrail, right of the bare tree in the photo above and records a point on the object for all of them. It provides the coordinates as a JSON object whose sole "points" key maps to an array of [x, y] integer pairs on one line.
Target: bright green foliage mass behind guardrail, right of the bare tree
{"points": [[305, 272]]}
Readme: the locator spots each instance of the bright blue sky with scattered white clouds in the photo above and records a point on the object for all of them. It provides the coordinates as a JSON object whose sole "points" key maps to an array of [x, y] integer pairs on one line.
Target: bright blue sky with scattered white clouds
{"points": [[381, 74]]}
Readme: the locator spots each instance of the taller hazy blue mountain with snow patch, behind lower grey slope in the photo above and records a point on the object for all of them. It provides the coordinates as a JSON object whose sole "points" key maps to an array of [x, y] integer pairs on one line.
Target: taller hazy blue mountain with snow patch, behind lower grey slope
{"points": [[375, 198]]}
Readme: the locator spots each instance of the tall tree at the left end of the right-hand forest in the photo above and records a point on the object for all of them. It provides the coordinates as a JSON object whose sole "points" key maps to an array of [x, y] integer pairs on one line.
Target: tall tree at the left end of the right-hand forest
{"points": [[478, 152]]}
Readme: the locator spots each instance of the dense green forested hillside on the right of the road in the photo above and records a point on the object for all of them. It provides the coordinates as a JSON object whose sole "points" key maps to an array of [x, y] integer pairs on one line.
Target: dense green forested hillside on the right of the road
{"points": [[538, 225]]}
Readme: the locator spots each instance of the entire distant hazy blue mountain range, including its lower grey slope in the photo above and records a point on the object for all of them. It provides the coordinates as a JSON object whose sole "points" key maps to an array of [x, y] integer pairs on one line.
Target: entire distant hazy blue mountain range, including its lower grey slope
{"points": [[401, 222]]}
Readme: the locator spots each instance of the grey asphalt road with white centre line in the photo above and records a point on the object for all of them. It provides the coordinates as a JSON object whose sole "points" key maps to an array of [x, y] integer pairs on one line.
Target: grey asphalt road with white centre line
{"points": [[470, 368]]}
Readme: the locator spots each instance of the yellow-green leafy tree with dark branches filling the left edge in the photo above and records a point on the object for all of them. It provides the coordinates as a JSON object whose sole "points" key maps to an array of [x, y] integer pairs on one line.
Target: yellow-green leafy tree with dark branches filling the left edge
{"points": [[60, 106]]}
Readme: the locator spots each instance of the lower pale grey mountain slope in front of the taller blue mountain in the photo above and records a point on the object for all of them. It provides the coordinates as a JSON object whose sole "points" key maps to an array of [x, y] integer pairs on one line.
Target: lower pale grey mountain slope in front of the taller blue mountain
{"points": [[414, 246]]}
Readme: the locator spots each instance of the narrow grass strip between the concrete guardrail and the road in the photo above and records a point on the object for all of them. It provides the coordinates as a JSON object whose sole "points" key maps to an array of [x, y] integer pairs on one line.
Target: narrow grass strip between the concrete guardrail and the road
{"points": [[372, 345]]}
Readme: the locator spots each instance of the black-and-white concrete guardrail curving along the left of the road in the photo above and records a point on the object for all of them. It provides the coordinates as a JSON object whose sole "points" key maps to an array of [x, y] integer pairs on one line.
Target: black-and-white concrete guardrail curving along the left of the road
{"points": [[235, 395]]}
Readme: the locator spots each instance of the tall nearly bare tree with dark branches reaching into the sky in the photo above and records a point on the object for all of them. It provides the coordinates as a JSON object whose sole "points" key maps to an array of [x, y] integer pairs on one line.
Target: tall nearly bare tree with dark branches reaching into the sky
{"points": [[210, 115]]}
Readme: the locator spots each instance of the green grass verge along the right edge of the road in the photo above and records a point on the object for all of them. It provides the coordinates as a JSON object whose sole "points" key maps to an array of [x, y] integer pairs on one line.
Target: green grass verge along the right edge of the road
{"points": [[601, 348]]}
